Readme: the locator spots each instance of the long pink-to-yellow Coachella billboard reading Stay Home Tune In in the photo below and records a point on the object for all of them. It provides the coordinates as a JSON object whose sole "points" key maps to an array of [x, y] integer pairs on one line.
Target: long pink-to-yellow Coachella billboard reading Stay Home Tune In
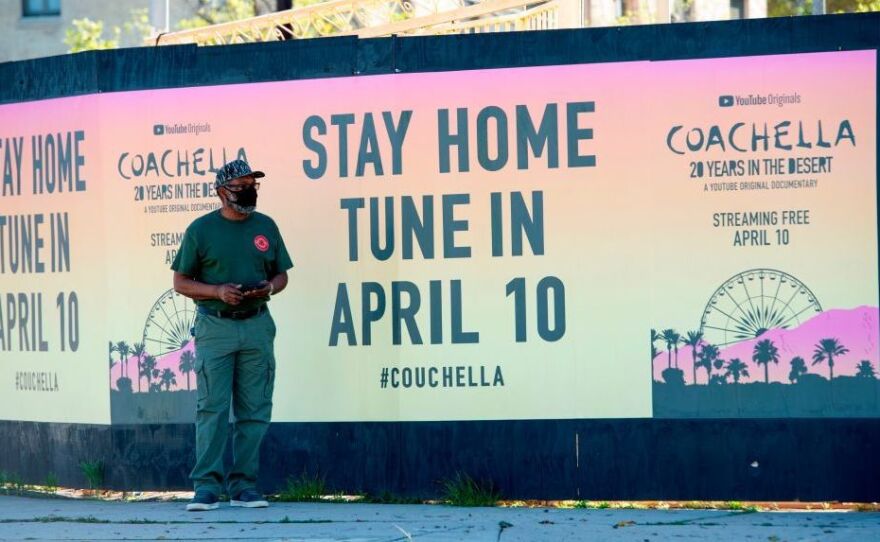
{"points": [[476, 245]]}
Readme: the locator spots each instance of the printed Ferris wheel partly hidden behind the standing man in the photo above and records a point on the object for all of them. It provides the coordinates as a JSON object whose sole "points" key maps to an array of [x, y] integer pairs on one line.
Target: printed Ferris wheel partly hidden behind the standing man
{"points": [[168, 323]]}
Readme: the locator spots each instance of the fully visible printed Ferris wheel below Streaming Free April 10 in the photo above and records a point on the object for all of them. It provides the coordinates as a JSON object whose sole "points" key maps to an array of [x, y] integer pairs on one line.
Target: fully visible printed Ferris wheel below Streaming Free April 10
{"points": [[752, 302]]}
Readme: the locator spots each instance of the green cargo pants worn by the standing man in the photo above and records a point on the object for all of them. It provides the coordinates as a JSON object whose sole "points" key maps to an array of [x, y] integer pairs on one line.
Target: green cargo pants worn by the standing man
{"points": [[234, 361]]}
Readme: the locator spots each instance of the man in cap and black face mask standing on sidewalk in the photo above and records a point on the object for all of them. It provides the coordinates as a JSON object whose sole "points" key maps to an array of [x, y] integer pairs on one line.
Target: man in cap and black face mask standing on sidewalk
{"points": [[230, 261]]}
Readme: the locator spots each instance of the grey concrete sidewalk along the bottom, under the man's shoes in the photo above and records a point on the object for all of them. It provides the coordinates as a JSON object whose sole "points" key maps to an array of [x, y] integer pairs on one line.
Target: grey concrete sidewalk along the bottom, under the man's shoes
{"points": [[25, 518]]}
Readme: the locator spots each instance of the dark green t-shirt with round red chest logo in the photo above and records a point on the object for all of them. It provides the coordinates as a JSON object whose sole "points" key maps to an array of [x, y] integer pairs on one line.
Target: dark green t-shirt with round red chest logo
{"points": [[216, 250]]}
